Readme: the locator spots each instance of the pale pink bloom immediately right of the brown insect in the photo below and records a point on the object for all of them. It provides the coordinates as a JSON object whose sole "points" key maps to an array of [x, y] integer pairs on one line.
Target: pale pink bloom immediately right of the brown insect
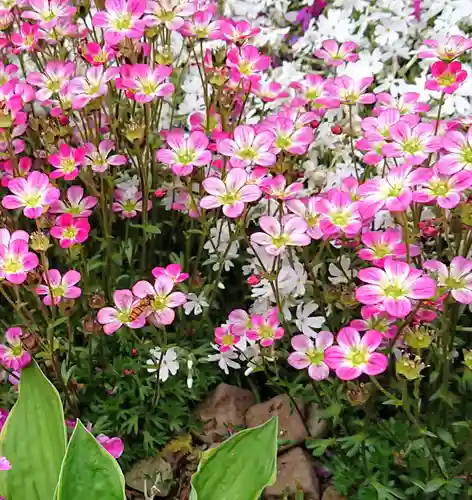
{"points": [[161, 311]]}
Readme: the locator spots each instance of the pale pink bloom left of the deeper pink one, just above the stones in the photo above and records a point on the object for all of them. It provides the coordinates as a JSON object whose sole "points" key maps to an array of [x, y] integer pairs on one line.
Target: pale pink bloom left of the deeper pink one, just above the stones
{"points": [[311, 355]]}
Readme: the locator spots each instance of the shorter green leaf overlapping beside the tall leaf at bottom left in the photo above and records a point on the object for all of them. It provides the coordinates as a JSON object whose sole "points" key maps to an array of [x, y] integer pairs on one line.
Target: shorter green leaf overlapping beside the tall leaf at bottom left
{"points": [[89, 472]]}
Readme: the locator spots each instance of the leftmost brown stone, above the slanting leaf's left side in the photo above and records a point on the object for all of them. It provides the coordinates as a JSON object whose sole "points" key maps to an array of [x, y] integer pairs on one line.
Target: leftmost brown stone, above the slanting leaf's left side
{"points": [[222, 411]]}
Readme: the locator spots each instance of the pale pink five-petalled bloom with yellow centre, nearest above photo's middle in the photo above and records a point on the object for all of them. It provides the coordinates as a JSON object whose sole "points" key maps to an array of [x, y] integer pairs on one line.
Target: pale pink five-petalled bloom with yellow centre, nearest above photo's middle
{"points": [[232, 194]]}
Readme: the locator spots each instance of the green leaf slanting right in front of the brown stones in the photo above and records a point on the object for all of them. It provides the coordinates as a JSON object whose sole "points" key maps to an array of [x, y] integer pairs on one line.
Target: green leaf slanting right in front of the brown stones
{"points": [[240, 468]]}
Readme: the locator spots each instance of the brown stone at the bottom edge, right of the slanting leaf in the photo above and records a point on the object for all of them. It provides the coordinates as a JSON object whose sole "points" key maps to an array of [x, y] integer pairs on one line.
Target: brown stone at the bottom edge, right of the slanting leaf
{"points": [[295, 473]]}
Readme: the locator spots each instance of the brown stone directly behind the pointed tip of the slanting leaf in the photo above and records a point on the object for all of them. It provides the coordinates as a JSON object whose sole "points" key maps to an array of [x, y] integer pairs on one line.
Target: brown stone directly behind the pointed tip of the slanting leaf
{"points": [[291, 427]]}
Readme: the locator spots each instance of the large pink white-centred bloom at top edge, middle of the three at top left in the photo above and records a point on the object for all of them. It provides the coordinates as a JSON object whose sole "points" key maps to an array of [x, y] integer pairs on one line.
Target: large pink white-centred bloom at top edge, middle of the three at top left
{"points": [[121, 19]]}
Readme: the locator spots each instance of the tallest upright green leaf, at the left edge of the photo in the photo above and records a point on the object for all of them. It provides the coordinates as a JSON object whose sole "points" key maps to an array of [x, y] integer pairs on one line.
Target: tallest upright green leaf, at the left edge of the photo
{"points": [[33, 439]]}
